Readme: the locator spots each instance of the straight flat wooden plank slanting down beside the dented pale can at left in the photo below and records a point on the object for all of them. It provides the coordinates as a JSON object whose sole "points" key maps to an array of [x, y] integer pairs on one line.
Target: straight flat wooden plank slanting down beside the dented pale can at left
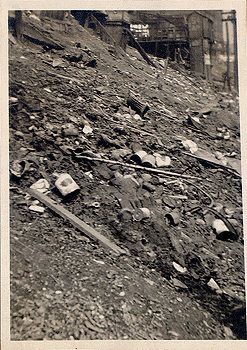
{"points": [[75, 221]]}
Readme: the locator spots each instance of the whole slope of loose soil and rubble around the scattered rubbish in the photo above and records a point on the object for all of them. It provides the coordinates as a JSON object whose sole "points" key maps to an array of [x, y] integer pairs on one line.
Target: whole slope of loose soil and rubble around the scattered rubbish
{"points": [[67, 286]]}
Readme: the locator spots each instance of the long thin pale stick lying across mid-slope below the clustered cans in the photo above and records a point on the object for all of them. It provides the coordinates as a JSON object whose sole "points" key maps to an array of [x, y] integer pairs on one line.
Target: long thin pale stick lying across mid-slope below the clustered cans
{"points": [[157, 171]]}
